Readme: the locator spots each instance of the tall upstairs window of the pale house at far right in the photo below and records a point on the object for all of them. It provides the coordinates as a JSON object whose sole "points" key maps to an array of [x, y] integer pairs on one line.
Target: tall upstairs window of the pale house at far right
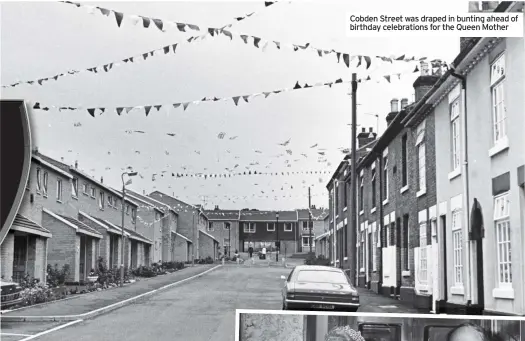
{"points": [[497, 82]]}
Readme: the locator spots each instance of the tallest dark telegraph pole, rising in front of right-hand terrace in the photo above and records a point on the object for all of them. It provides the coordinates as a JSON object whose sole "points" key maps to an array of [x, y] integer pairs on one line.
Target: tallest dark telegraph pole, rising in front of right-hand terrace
{"points": [[352, 226]]}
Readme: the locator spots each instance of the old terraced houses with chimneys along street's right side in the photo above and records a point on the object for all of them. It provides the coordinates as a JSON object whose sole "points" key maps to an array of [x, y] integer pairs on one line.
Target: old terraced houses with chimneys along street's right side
{"points": [[440, 215]]}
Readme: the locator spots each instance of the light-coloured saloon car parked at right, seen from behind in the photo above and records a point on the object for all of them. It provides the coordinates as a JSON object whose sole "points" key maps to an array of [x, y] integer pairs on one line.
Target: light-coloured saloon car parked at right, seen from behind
{"points": [[314, 287]]}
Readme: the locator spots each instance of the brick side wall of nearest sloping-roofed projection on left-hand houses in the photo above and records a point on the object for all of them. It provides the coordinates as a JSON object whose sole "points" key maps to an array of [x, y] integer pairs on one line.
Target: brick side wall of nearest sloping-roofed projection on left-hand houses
{"points": [[62, 248]]}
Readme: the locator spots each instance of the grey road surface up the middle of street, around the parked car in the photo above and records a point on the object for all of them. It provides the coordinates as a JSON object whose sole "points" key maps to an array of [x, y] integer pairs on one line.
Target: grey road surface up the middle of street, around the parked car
{"points": [[201, 309]]}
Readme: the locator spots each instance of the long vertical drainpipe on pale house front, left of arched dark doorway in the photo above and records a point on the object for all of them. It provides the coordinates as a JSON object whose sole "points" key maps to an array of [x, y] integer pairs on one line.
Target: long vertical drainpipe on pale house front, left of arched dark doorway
{"points": [[465, 182]]}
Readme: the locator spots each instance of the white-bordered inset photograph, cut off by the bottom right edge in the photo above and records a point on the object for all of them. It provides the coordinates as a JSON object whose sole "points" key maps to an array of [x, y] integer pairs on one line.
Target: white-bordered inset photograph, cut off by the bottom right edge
{"points": [[275, 326]]}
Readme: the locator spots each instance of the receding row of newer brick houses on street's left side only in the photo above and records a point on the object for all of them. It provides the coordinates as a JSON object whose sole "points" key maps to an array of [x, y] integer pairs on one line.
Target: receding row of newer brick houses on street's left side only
{"points": [[69, 218]]}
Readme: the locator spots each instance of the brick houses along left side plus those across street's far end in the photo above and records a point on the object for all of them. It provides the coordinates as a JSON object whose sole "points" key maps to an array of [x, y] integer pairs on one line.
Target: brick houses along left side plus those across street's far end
{"points": [[69, 218]]}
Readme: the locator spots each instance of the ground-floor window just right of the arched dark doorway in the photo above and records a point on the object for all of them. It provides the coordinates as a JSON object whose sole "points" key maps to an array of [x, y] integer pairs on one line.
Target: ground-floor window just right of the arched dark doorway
{"points": [[503, 237]]}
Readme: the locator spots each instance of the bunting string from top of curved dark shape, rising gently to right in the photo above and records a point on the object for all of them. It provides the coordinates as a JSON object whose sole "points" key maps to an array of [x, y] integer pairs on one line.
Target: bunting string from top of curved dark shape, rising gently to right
{"points": [[92, 111]]}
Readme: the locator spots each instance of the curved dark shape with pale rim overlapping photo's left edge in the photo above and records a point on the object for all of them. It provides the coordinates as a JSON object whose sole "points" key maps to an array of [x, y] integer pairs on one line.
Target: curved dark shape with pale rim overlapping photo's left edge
{"points": [[15, 152]]}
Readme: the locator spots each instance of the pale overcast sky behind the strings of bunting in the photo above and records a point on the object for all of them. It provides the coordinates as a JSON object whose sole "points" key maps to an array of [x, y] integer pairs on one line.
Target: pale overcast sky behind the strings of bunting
{"points": [[43, 39]]}
